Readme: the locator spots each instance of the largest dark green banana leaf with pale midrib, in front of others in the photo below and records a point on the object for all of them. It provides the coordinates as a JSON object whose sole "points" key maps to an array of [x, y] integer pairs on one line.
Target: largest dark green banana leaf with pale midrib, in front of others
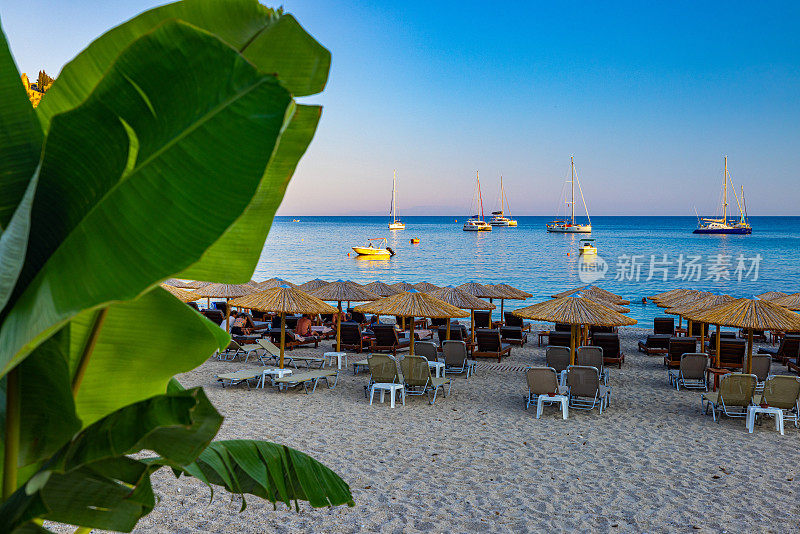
{"points": [[147, 220]]}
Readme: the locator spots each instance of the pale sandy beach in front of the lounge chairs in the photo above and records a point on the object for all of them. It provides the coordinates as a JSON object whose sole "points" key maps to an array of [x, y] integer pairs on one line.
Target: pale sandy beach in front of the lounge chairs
{"points": [[478, 461]]}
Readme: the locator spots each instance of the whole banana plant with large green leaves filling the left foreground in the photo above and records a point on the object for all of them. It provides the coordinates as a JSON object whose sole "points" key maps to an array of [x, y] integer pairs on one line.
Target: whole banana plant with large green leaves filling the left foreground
{"points": [[162, 150]]}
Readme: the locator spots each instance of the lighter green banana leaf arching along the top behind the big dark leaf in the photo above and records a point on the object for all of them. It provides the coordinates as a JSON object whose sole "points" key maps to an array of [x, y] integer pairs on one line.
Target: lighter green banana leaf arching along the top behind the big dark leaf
{"points": [[279, 45]]}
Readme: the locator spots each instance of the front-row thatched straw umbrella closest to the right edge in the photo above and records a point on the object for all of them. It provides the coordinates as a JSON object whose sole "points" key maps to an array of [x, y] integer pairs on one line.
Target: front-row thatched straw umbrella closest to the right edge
{"points": [[750, 315]]}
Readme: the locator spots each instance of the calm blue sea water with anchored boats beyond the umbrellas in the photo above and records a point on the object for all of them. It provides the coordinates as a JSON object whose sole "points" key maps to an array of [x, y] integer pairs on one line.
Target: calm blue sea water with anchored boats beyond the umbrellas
{"points": [[530, 258]]}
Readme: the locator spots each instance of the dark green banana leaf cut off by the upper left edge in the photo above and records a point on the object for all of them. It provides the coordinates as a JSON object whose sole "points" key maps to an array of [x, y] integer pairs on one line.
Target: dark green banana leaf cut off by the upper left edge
{"points": [[20, 138]]}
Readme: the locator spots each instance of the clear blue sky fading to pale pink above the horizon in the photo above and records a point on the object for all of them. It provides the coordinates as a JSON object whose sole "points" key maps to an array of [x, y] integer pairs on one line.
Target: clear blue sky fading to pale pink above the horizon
{"points": [[648, 98]]}
